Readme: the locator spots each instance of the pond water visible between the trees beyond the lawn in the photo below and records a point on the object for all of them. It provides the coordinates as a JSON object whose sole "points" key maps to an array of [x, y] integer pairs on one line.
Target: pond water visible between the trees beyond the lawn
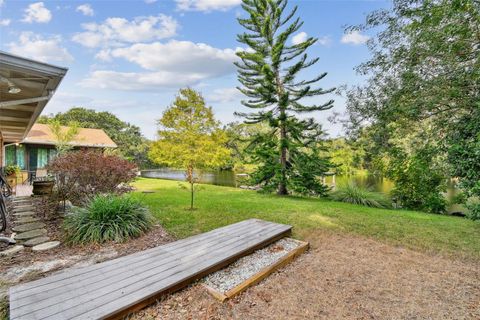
{"points": [[231, 179]]}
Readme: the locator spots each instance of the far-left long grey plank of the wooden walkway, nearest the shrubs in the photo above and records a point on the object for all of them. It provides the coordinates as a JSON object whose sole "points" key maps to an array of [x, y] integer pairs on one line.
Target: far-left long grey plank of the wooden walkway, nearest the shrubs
{"points": [[77, 273]]}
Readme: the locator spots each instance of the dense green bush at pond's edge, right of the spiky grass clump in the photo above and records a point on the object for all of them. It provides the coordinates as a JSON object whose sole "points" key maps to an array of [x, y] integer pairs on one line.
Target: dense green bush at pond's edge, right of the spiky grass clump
{"points": [[418, 183]]}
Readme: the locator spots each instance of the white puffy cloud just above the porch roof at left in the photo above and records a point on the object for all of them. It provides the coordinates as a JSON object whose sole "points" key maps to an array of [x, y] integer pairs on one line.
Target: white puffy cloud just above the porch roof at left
{"points": [[45, 49]]}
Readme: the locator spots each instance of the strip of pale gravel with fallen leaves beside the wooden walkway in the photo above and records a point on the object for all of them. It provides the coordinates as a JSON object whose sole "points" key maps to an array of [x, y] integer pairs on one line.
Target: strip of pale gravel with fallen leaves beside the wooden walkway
{"points": [[236, 273]]}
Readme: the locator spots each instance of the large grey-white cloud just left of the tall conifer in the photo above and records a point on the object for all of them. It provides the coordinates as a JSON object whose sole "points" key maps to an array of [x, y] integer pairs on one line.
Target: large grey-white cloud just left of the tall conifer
{"points": [[170, 65]]}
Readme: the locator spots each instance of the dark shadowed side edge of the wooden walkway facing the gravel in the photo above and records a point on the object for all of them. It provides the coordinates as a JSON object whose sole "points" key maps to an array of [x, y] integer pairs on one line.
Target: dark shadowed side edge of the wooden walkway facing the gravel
{"points": [[150, 300]]}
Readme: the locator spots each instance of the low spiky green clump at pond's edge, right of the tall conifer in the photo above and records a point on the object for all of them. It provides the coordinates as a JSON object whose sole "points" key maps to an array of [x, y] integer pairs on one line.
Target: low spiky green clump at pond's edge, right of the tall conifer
{"points": [[351, 193]]}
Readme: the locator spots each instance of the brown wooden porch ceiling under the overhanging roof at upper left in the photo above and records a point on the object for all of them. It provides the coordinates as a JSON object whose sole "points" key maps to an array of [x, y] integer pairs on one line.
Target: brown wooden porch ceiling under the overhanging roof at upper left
{"points": [[37, 82]]}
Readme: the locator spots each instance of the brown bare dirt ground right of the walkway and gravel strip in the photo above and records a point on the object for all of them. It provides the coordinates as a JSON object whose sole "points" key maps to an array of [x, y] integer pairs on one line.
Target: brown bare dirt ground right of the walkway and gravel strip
{"points": [[343, 277]]}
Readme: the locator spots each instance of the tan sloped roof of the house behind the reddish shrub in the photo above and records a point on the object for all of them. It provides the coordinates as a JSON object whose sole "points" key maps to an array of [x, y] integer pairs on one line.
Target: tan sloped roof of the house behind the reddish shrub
{"points": [[41, 134]]}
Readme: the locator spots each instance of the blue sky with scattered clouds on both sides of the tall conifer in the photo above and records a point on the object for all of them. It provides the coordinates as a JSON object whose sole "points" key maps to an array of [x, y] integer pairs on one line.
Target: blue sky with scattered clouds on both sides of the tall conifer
{"points": [[131, 57]]}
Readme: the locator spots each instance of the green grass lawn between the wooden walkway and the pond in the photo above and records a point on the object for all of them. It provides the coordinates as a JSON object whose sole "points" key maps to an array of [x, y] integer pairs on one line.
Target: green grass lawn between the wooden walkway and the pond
{"points": [[219, 206]]}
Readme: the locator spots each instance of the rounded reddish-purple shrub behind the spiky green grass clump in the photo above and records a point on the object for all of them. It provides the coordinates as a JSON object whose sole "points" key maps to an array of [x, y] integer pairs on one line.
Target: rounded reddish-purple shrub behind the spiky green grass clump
{"points": [[80, 175]]}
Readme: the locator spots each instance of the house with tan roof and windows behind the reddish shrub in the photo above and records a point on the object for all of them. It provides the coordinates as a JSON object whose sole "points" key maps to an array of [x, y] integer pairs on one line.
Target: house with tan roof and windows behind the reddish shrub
{"points": [[38, 147]]}
